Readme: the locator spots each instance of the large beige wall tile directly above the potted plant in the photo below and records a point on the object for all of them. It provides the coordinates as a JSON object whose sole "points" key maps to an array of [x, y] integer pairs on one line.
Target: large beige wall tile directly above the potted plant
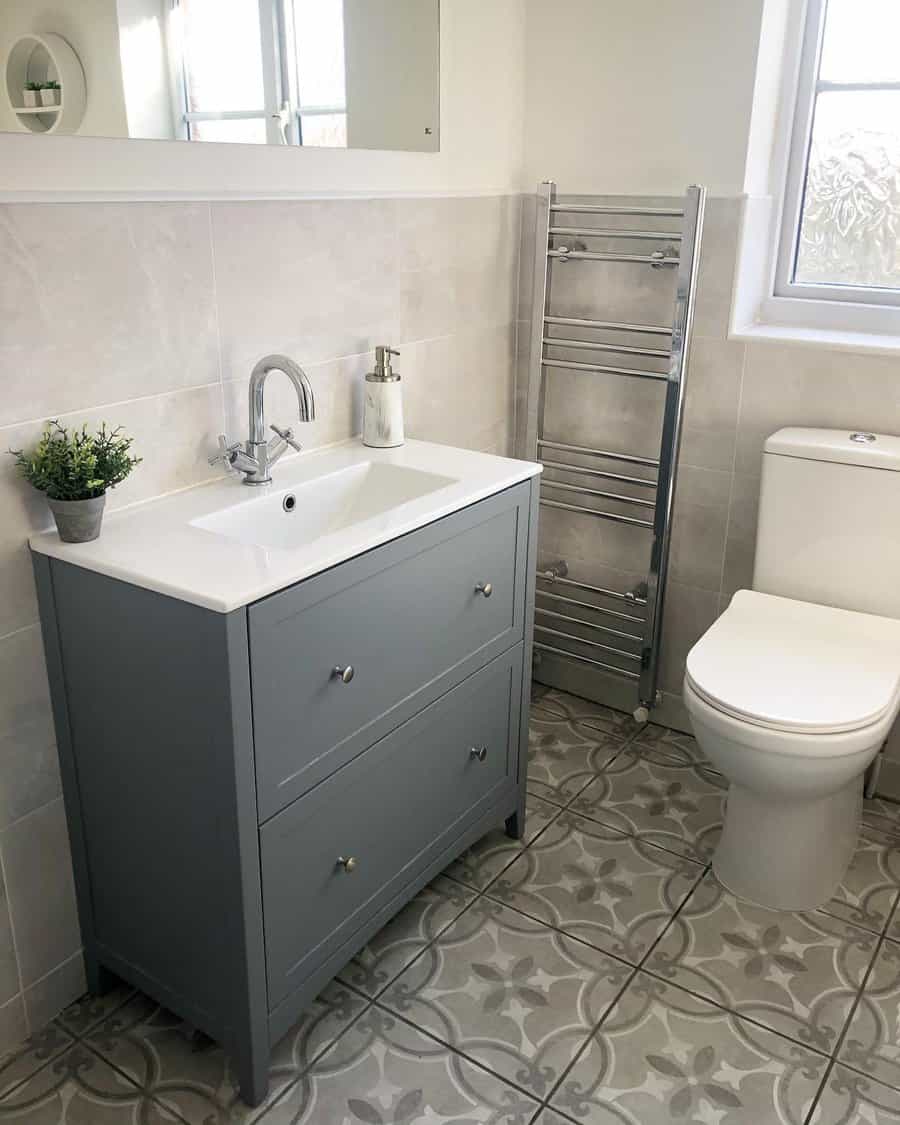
{"points": [[103, 303]]}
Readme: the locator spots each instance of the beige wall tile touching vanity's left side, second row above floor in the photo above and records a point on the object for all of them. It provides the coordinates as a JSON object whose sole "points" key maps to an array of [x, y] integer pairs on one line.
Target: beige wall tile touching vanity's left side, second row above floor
{"points": [[41, 893]]}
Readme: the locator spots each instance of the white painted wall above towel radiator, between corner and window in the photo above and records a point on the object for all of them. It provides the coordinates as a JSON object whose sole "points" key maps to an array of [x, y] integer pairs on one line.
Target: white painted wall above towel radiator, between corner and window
{"points": [[640, 96]]}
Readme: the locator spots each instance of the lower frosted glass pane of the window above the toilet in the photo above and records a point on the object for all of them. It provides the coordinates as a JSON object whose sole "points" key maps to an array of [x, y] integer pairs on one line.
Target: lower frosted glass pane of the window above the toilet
{"points": [[851, 220]]}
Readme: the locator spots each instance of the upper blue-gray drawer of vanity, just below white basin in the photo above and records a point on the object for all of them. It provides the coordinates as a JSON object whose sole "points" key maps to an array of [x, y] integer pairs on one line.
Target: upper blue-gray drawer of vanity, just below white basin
{"points": [[410, 622]]}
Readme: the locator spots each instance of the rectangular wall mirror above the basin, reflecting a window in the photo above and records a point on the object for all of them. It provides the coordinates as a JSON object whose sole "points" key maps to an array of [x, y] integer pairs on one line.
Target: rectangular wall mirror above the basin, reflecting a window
{"points": [[326, 74]]}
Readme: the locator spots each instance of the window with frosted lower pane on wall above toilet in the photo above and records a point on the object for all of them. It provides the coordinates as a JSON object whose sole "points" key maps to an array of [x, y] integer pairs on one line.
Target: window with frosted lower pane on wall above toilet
{"points": [[841, 227]]}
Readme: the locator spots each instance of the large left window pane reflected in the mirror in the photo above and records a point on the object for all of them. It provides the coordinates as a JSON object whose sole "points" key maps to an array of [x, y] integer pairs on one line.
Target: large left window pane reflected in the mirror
{"points": [[223, 56]]}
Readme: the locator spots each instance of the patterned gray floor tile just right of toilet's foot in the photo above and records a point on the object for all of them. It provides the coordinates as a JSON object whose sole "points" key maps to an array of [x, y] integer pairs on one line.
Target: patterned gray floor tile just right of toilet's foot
{"points": [[869, 892]]}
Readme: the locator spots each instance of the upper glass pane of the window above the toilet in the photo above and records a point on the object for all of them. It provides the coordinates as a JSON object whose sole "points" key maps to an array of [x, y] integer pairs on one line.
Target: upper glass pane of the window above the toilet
{"points": [[862, 42]]}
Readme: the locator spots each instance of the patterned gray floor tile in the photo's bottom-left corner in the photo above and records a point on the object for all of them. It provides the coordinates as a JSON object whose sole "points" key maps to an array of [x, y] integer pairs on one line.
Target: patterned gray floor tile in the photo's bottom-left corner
{"points": [[79, 1088]]}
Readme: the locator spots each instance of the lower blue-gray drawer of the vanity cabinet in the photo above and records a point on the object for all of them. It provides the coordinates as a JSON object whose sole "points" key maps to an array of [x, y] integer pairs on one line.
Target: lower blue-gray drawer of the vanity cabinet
{"points": [[391, 812]]}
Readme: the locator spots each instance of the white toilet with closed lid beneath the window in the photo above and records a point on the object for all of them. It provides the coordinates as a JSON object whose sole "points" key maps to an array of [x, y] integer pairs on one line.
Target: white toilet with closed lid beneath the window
{"points": [[795, 689]]}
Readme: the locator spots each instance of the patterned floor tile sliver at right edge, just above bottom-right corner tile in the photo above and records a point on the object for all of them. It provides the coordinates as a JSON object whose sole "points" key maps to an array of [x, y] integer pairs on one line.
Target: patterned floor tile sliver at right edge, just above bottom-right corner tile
{"points": [[872, 1043]]}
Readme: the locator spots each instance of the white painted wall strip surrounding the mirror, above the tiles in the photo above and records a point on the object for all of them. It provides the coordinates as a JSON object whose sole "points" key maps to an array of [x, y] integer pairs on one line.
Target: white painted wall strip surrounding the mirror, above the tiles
{"points": [[482, 107]]}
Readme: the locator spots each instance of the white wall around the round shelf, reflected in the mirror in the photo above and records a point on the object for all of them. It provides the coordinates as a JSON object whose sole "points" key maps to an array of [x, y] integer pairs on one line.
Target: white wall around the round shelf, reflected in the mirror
{"points": [[92, 29]]}
